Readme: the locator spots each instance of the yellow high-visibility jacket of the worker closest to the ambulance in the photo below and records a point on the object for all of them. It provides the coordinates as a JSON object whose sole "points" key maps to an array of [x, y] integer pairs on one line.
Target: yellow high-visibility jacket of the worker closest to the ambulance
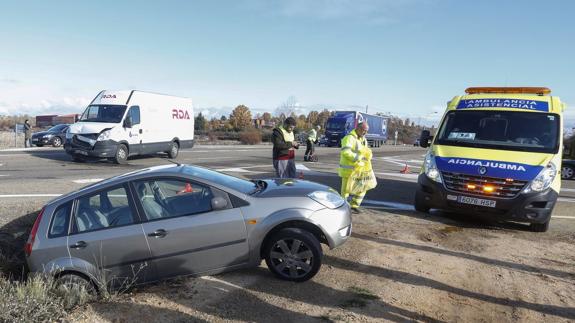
{"points": [[353, 151]]}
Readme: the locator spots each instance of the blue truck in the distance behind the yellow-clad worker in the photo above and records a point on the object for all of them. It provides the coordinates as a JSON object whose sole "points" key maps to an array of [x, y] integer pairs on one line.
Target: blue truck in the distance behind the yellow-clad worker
{"points": [[342, 122]]}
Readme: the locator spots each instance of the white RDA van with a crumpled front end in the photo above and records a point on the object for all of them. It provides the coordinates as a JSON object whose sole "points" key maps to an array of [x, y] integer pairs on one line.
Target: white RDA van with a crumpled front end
{"points": [[118, 124]]}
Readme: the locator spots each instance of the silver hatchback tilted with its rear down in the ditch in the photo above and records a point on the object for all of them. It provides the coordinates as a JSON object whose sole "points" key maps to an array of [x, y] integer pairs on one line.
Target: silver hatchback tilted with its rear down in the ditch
{"points": [[173, 220]]}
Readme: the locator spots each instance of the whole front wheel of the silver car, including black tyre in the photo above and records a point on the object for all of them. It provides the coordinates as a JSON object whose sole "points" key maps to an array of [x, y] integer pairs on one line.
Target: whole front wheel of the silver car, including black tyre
{"points": [[293, 254]]}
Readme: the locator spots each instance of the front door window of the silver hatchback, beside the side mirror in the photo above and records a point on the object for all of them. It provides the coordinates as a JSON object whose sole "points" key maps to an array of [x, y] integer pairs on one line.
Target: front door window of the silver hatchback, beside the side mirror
{"points": [[167, 198]]}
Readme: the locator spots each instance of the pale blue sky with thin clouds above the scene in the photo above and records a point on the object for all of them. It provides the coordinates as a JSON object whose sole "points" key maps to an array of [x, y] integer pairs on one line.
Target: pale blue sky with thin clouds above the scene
{"points": [[407, 57]]}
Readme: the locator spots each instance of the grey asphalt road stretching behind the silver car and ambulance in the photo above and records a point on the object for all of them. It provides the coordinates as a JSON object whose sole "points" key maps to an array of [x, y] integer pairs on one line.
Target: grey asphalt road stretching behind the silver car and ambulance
{"points": [[35, 175]]}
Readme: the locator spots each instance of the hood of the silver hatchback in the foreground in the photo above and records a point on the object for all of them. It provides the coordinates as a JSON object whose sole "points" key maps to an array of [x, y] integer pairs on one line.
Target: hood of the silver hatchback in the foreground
{"points": [[287, 187]]}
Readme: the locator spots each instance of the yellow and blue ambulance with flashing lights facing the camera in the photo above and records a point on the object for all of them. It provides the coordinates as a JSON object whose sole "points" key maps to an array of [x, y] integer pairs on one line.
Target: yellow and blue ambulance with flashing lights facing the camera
{"points": [[497, 153]]}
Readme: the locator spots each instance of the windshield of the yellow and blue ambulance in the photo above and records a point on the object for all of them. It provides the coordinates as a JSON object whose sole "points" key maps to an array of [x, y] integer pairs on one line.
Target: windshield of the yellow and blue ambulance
{"points": [[507, 130]]}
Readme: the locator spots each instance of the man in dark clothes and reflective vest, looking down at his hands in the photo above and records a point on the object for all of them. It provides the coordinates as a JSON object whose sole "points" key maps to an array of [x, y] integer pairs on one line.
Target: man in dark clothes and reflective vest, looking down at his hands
{"points": [[284, 149]]}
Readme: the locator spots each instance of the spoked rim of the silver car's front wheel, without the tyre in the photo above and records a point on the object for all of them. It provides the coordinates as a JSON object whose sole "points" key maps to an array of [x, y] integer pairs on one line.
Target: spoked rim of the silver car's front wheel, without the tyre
{"points": [[292, 258]]}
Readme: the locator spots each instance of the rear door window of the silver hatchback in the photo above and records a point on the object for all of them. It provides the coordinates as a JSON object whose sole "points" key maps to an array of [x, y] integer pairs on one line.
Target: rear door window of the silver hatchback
{"points": [[106, 209]]}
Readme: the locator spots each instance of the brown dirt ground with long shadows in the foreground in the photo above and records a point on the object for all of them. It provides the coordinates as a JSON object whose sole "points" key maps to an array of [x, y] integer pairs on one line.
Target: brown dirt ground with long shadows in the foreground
{"points": [[397, 267]]}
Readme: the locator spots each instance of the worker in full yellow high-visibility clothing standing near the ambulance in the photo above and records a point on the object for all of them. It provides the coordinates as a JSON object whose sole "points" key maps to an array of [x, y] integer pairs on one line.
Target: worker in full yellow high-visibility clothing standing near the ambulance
{"points": [[354, 153]]}
